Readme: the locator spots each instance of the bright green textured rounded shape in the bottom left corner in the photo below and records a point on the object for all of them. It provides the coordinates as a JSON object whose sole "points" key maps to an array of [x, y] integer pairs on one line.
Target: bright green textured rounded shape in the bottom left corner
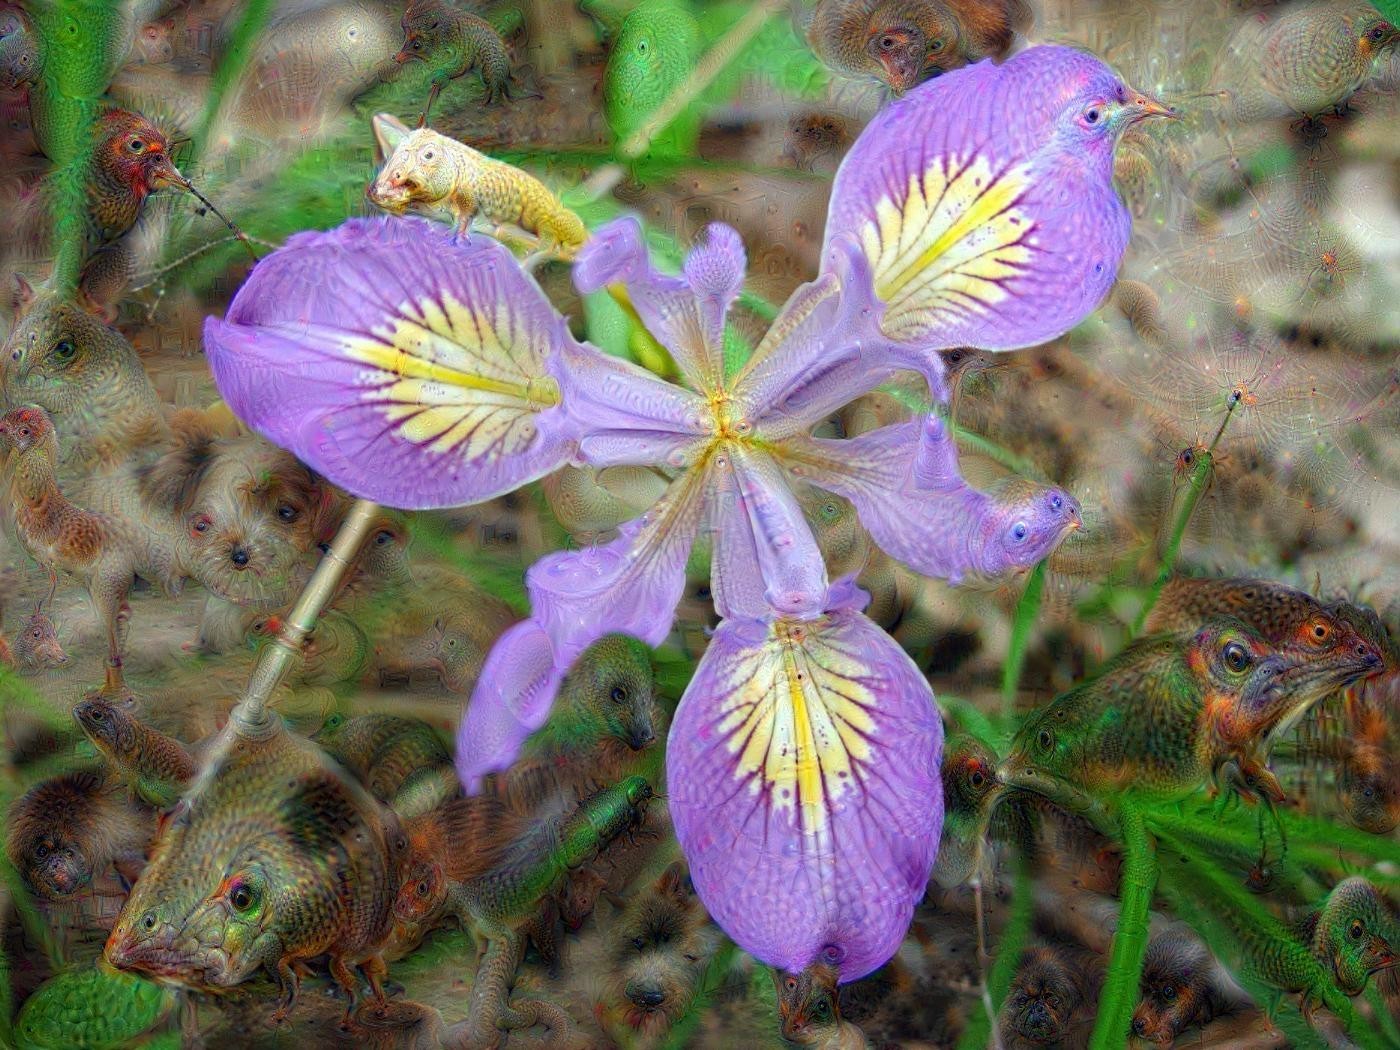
{"points": [[92, 1009]]}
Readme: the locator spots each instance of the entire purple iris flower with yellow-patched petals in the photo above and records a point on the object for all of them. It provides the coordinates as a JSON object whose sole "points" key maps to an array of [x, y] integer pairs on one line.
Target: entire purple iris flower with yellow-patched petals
{"points": [[804, 758]]}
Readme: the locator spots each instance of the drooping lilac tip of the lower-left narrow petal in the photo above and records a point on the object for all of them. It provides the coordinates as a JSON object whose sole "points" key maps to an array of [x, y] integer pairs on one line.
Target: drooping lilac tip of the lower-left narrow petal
{"points": [[512, 701]]}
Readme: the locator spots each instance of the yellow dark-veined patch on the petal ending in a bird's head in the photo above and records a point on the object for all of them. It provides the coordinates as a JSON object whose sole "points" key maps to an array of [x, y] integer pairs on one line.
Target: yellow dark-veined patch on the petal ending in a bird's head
{"points": [[948, 241]]}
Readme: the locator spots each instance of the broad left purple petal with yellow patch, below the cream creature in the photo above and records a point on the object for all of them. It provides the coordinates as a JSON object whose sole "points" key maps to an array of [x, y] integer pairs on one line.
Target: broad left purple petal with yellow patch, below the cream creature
{"points": [[407, 367]]}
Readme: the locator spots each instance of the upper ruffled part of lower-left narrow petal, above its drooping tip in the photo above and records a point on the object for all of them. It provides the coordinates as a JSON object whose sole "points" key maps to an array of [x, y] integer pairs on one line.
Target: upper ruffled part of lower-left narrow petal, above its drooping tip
{"points": [[631, 586]]}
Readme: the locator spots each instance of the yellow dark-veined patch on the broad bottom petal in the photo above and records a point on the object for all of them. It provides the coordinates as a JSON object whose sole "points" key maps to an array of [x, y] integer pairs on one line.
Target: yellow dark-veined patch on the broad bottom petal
{"points": [[797, 719]]}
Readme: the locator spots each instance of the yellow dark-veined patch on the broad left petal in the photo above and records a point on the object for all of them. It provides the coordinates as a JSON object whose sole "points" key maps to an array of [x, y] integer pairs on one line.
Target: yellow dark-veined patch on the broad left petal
{"points": [[454, 379]]}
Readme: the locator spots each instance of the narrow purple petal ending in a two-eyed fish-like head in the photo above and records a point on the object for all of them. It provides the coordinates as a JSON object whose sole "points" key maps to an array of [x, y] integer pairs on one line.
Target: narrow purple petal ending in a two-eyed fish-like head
{"points": [[909, 493]]}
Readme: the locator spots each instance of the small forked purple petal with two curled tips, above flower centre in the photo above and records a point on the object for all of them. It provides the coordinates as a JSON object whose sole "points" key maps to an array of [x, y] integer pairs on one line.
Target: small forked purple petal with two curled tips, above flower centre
{"points": [[685, 314]]}
